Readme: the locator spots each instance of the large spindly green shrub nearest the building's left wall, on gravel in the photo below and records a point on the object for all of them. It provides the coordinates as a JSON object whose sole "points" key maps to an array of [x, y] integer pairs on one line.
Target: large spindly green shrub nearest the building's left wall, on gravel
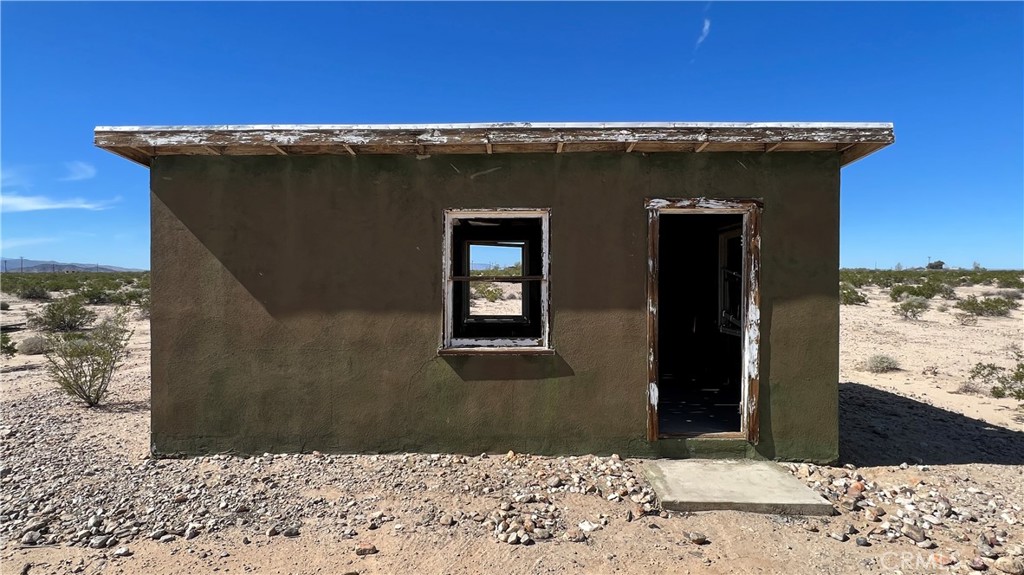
{"points": [[84, 364]]}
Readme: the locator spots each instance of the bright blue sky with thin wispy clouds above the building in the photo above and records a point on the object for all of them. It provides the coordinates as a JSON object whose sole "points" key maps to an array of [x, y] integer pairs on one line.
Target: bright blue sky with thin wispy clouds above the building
{"points": [[951, 76]]}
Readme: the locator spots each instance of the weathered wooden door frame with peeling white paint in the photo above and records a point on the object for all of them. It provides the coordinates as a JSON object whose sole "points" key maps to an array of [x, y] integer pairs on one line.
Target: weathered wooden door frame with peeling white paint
{"points": [[751, 337]]}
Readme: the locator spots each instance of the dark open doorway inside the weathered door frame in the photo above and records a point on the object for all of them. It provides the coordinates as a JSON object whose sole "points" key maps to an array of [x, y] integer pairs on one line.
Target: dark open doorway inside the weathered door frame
{"points": [[700, 324]]}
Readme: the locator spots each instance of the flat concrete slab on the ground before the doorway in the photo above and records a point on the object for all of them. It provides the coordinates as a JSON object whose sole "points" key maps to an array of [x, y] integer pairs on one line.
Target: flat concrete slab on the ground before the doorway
{"points": [[701, 485]]}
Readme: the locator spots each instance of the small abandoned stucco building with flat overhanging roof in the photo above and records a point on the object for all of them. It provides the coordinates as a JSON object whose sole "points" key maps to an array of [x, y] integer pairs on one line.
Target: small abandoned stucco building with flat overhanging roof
{"points": [[652, 290]]}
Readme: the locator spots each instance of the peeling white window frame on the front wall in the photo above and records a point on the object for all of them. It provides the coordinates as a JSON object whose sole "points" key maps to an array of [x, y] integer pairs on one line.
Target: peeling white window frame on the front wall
{"points": [[493, 345]]}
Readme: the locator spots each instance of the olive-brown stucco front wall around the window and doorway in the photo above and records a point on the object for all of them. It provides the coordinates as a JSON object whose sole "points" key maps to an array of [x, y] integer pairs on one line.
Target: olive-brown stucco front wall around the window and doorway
{"points": [[297, 303]]}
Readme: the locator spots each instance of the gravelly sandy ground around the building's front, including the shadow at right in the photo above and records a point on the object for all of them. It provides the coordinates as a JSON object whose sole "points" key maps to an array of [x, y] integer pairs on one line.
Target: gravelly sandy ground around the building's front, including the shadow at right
{"points": [[80, 495]]}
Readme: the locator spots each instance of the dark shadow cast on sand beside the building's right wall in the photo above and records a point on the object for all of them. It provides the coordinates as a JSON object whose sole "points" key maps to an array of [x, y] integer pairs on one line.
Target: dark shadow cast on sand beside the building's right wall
{"points": [[880, 428]]}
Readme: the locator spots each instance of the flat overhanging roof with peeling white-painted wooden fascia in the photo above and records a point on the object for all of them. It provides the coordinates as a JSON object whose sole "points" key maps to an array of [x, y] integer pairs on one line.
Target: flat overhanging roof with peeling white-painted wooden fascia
{"points": [[143, 144]]}
